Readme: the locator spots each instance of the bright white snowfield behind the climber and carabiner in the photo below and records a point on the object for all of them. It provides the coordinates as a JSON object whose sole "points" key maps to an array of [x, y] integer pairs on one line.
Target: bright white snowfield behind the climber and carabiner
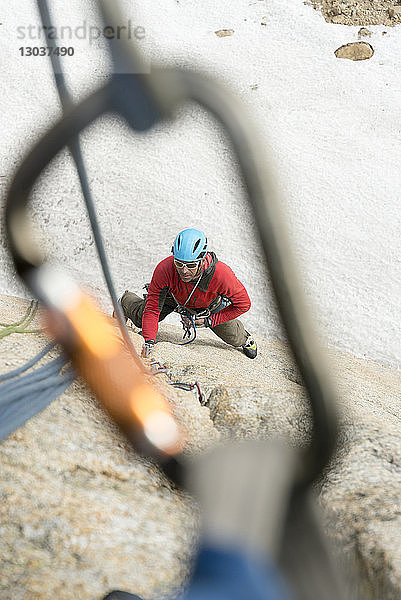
{"points": [[332, 157]]}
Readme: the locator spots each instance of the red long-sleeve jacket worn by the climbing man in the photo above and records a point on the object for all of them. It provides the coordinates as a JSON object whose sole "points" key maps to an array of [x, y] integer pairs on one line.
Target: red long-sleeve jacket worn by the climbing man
{"points": [[217, 279]]}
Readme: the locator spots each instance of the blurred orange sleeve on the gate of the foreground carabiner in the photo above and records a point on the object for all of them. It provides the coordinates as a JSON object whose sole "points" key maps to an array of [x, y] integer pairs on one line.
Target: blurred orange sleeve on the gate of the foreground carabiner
{"points": [[114, 375]]}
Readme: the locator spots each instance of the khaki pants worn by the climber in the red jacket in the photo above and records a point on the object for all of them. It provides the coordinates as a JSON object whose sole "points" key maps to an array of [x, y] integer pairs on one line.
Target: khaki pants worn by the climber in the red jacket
{"points": [[231, 332]]}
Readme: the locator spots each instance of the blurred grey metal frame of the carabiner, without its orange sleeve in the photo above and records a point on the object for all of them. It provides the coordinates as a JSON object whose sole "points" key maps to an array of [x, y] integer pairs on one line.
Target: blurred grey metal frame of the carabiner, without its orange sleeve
{"points": [[144, 99]]}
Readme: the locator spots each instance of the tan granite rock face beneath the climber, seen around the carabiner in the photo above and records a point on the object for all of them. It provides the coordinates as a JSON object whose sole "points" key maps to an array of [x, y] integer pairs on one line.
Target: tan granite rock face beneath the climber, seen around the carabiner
{"points": [[81, 513]]}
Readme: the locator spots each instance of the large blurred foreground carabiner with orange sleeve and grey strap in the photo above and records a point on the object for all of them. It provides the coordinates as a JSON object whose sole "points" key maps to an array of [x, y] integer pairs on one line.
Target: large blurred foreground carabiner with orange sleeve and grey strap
{"points": [[282, 479]]}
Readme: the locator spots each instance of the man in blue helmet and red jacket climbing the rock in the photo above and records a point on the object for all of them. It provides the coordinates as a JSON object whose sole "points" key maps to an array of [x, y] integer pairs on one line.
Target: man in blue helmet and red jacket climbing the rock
{"points": [[196, 284]]}
